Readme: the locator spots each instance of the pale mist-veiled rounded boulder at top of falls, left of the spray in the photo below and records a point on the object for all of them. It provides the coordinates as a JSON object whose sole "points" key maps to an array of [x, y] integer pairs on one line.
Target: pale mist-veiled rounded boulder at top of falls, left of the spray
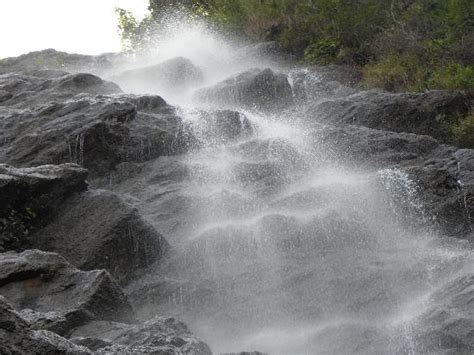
{"points": [[174, 74]]}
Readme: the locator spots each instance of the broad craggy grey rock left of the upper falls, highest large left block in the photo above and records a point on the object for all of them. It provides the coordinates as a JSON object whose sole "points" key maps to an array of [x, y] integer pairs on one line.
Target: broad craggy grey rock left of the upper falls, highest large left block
{"points": [[97, 132]]}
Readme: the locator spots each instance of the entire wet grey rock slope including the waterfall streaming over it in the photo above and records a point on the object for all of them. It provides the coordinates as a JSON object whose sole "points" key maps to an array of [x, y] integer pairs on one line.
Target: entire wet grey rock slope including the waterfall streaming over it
{"points": [[286, 195]]}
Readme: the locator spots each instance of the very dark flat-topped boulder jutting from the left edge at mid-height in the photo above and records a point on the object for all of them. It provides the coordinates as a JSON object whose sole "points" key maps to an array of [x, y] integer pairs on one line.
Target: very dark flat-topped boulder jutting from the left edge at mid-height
{"points": [[29, 197]]}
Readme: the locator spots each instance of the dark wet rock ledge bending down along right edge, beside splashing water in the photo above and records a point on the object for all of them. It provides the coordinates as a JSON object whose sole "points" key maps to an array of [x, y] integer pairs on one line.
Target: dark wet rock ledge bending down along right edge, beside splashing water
{"points": [[444, 175]]}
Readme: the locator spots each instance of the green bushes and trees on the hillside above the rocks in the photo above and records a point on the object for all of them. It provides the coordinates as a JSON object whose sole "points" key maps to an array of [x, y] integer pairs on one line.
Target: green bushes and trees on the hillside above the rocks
{"points": [[400, 44]]}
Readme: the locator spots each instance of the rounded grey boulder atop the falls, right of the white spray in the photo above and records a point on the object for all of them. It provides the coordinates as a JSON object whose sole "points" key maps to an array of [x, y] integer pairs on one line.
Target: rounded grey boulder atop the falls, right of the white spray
{"points": [[255, 89]]}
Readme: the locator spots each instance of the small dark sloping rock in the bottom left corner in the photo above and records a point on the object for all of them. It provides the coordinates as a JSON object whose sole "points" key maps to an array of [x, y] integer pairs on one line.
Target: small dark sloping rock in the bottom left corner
{"points": [[16, 336]]}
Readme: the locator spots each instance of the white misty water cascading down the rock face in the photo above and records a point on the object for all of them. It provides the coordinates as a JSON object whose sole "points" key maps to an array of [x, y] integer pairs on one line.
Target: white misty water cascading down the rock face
{"points": [[278, 247]]}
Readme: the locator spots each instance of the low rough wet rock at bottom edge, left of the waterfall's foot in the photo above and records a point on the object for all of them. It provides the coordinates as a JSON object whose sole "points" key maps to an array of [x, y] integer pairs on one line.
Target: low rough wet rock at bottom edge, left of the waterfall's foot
{"points": [[159, 335]]}
